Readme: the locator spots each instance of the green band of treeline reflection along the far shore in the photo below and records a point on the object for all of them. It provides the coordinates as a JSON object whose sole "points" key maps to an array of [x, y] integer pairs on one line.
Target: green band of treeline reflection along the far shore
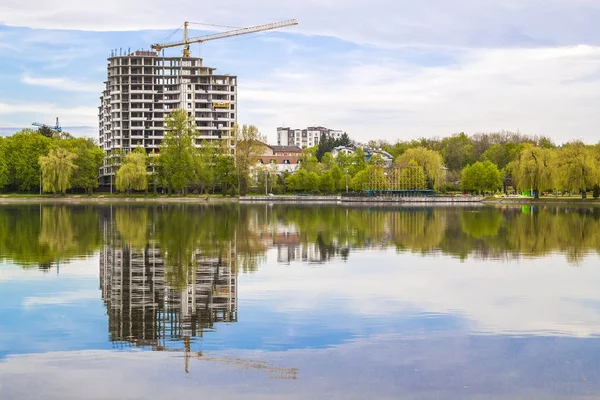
{"points": [[46, 235]]}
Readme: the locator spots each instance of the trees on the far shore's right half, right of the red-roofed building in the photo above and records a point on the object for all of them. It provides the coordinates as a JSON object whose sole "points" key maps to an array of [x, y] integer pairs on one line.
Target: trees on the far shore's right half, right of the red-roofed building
{"points": [[488, 163]]}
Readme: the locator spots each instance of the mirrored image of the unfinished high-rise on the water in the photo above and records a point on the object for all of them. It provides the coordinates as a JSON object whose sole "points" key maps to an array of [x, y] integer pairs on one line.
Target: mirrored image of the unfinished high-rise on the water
{"points": [[146, 310]]}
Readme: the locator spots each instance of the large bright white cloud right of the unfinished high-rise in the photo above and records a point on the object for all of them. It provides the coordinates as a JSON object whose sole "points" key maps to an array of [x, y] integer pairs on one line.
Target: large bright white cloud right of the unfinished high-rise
{"points": [[551, 91]]}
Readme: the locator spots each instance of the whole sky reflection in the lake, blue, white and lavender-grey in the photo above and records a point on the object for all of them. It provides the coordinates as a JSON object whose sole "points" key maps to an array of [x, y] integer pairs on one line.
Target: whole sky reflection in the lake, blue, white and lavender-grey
{"points": [[376, 326]]}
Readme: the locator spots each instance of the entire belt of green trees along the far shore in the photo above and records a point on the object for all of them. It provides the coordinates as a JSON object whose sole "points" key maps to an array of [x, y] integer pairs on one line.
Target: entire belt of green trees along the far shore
{"points": [[481, 163]]}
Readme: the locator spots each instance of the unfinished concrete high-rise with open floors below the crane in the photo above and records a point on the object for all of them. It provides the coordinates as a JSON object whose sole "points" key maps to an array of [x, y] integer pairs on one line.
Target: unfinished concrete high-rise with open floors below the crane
{"points": [[142, 88]]}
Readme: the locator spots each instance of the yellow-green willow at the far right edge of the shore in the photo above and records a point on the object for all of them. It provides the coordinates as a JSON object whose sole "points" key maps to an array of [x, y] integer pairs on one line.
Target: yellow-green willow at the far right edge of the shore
{"points": [[577, 168]]}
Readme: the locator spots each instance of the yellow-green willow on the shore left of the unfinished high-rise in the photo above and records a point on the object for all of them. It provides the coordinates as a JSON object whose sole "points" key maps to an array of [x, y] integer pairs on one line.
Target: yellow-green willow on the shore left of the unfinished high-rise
{"points": [[57, 168]]}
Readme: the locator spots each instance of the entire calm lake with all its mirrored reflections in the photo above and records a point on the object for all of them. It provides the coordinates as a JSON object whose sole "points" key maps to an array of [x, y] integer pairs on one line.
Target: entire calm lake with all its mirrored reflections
{"points": [[299, 302]]}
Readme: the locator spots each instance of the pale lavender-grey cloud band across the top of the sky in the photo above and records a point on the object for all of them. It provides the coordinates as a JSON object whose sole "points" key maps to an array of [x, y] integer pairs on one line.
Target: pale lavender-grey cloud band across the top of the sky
{"points": [[382, 22]]}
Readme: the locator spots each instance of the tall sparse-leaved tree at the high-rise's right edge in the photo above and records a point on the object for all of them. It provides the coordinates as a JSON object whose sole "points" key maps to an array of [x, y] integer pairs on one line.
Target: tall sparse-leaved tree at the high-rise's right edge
{"points": [[249, 146]]}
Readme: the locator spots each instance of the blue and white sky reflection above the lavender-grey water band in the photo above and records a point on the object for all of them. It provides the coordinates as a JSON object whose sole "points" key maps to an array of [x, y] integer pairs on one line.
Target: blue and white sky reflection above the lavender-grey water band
{"points": [[283, 307]]}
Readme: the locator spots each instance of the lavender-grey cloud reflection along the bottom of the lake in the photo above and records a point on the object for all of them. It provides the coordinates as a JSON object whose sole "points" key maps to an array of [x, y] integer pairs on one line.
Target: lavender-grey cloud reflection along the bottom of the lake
{"points": [[382, 367]]}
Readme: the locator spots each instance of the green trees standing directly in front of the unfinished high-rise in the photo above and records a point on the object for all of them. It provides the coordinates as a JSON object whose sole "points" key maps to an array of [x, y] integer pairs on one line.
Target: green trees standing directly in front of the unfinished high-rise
{"points": [[180, 166]]}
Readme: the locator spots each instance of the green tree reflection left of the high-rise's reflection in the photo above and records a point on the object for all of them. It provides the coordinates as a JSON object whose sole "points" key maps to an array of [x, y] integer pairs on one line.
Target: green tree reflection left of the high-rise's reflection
{"points": [[42, 235]]}
